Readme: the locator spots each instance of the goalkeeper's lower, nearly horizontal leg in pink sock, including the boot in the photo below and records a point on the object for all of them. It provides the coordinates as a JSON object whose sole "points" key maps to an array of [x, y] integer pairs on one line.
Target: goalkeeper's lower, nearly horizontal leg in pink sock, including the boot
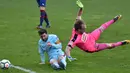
{"points": [[102, 46]]}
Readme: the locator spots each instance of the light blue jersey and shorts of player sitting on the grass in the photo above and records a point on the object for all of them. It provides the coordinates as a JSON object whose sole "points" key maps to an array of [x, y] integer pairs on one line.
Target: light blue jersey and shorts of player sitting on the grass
{"points": [[54, 51]]}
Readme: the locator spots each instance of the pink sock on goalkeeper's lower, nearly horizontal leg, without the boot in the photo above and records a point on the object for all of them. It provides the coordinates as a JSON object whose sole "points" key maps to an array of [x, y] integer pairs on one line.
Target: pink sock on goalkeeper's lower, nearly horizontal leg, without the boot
{"points": [[102, 46]]}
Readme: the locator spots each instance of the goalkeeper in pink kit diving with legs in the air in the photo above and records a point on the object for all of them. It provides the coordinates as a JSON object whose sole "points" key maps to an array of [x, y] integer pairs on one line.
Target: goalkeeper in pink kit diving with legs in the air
{"points": [[87, 41]]}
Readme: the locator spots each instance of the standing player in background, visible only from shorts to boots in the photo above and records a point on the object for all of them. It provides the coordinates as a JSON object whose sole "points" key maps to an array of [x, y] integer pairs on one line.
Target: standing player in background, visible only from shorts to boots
{"points": [[43, 14]]}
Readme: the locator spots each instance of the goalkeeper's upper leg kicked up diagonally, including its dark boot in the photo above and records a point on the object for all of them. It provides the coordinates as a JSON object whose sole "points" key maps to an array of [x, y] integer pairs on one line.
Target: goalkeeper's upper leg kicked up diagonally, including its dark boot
{"points": [[96, 33]]}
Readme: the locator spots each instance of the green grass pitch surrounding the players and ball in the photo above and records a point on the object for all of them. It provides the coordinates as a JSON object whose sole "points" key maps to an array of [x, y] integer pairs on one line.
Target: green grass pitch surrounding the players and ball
{"points": [[18, 36]]}
